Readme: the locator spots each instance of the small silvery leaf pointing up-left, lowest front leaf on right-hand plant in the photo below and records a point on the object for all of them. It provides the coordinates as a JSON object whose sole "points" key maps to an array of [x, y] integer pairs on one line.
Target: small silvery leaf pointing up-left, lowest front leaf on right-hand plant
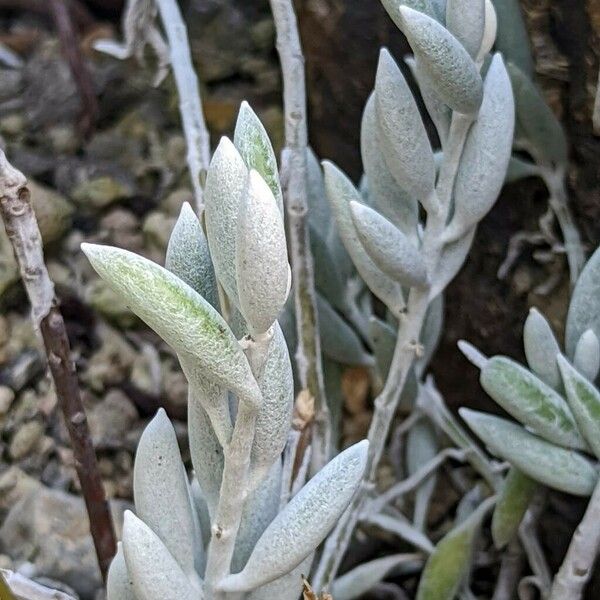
{"points": [[388, 247]]}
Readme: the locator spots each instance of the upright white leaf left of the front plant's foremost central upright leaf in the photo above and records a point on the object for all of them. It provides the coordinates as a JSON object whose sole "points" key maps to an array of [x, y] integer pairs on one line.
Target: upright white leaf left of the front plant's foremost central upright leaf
{"points": [[224, 192]]}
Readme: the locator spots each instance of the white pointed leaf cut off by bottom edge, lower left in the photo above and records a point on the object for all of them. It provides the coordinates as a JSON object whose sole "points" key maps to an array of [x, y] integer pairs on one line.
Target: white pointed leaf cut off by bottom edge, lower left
{"points": [[156, 575]]}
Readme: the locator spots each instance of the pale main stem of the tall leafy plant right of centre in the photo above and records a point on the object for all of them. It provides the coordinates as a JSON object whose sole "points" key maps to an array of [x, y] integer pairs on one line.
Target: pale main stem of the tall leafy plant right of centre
{"points": [[407, 344]]}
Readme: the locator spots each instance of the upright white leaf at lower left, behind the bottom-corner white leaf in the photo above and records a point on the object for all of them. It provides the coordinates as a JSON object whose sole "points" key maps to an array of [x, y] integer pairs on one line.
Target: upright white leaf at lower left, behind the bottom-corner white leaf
{"points": [[160, 490]]}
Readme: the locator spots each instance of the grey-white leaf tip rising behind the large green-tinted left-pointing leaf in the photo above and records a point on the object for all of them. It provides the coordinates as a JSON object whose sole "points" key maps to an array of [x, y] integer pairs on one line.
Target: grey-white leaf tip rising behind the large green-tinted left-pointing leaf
{"points": [[188, 256]]}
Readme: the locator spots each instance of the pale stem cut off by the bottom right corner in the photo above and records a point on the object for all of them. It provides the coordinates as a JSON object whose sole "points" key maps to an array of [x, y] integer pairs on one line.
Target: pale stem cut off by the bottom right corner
{"points": [[576, 568]]}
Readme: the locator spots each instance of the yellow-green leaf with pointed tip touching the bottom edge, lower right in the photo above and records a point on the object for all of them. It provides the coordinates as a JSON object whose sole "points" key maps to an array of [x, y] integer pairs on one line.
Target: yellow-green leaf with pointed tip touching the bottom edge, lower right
{"points": [[450, 562]]}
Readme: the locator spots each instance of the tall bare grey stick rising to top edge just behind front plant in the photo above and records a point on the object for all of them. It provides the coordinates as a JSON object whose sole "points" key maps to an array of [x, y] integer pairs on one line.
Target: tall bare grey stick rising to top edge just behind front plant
{"points": [[294, 178]]}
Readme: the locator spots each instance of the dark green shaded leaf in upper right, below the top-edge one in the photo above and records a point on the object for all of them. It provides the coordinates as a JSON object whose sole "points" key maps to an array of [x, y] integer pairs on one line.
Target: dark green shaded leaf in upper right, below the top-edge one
{"points": [[536, 121]]}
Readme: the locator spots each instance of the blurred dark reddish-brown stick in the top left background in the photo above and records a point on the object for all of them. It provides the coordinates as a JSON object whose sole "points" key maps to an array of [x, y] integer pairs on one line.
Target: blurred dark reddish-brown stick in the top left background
{"points": [[81, 74]]}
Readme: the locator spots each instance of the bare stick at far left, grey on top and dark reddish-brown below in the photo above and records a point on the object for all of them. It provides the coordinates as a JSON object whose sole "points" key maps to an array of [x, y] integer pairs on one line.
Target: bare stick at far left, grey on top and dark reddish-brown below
{"points": [[24, 234]]}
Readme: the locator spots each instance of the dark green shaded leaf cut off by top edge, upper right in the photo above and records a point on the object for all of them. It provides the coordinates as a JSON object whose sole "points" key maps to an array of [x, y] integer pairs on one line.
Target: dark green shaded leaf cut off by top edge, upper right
{"points": [[512, 39]]}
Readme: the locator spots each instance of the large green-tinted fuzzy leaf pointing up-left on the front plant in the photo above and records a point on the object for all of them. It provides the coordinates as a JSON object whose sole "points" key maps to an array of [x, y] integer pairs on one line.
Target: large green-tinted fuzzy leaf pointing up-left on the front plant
{"points": [[178, 314]]}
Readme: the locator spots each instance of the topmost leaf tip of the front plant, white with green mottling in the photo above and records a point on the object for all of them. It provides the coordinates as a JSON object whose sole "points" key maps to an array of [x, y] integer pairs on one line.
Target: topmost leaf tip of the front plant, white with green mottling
{"points": [[253, 143]]}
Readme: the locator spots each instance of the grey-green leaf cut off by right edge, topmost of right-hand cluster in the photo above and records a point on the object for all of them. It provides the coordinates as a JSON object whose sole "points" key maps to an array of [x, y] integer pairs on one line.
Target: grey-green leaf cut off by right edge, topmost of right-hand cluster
{"points": [[584, 309]]}
